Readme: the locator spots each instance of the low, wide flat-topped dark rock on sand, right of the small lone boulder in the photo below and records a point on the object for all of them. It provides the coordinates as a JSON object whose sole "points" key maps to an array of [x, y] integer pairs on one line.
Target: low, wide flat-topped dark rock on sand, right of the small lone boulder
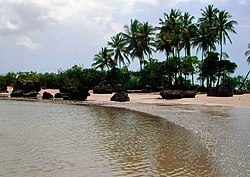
{"points": [[177, 94]]}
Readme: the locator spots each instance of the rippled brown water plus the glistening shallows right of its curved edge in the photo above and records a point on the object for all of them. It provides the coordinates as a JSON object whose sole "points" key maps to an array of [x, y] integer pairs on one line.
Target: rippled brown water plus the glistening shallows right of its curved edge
{"points": [[47, 139]]}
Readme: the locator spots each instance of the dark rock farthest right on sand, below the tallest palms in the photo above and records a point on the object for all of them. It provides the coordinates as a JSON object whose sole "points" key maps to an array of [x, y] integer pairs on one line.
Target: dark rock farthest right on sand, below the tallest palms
{"points": [[221, 91]]}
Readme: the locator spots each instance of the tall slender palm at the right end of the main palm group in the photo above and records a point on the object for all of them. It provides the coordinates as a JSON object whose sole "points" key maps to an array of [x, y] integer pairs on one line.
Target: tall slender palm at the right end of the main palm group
{"points": [[224, 25]]}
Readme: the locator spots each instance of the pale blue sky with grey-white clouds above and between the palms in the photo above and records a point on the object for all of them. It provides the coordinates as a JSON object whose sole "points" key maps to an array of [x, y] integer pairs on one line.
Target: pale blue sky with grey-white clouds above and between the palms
{"points": [[46, 35]]}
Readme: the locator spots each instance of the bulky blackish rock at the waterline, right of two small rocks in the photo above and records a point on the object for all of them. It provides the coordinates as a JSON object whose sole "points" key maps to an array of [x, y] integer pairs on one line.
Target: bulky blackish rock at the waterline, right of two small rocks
{"points": [[74, 93]]}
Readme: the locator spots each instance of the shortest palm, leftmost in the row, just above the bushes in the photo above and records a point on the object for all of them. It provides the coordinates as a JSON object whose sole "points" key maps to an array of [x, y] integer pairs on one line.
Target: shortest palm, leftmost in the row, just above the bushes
{"points": [[104, 59]]}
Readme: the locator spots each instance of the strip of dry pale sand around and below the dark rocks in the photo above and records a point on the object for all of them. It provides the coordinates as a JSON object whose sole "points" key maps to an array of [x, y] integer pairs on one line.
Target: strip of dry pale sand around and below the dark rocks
{"points": [[155, 98]]}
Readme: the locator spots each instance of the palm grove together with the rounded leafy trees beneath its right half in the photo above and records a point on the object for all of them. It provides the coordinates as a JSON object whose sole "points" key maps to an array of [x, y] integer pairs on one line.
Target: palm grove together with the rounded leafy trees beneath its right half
{"points": [[176, 35]]}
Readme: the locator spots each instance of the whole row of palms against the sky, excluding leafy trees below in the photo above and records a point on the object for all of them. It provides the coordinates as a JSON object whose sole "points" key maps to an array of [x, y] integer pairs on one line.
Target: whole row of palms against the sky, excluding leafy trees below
{"points": [[176, 34]]}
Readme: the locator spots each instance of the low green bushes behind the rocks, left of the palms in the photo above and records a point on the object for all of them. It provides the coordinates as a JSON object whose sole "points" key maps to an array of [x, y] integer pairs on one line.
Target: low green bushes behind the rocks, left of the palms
{"points": [[73, 76]]}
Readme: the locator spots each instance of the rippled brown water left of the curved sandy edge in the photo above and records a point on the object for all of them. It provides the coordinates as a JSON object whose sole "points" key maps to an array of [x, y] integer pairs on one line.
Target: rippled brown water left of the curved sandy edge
{"points": [[61, 140]]}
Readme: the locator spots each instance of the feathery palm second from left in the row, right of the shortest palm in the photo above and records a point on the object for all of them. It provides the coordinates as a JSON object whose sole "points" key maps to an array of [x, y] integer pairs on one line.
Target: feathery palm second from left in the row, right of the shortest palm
{"points": [[118, 44]]}
